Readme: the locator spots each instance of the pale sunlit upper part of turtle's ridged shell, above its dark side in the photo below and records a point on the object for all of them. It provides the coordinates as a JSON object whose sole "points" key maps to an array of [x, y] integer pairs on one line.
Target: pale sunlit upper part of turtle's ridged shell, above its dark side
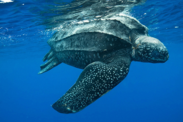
{"points": [[119, 25]]}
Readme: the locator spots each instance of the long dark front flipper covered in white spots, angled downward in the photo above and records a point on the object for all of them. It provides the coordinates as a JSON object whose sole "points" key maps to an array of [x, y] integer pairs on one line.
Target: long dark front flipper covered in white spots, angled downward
{"points": [[97, 79]]}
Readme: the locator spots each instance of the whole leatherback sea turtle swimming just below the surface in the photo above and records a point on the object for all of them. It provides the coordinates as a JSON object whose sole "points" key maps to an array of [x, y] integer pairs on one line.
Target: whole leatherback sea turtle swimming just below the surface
{"points": [[104, 48]]}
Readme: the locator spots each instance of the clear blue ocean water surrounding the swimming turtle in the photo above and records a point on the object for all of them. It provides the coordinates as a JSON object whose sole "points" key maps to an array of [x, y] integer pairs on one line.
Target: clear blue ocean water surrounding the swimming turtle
{"points": [[150, 92]]}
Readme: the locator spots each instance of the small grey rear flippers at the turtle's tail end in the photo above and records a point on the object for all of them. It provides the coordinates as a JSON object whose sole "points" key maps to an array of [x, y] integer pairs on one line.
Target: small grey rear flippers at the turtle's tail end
{"points": [[52, 61]]}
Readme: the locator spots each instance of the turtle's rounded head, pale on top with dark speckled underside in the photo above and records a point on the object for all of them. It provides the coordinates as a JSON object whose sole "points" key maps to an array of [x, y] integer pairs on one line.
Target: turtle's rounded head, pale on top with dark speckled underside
{"points": [[149, 49]]}
